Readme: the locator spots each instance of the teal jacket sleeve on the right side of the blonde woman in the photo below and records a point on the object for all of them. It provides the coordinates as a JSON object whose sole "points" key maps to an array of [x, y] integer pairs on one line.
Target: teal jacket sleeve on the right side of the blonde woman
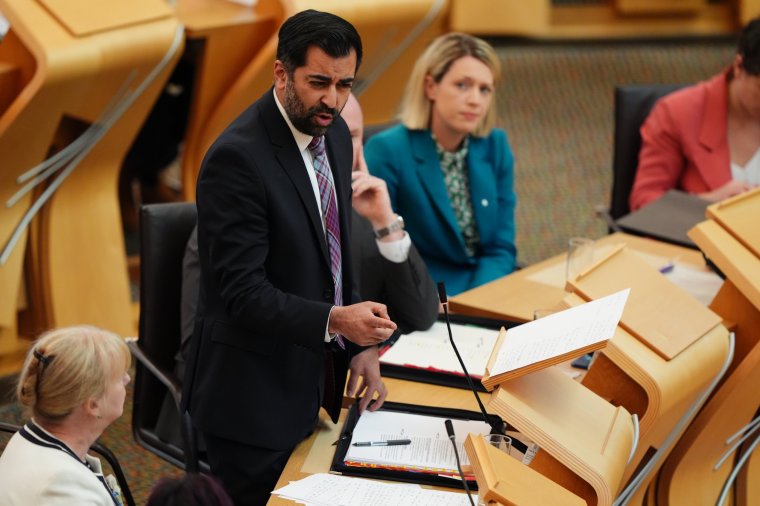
{"points": [[498, 257]]}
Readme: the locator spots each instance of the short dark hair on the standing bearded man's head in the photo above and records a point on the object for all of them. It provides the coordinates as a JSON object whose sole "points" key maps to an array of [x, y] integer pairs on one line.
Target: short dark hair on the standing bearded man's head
{"points": [[332, 34]]}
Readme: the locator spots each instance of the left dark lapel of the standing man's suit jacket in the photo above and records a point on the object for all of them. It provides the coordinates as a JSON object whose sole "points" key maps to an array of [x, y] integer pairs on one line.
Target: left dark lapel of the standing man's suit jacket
{"points": [[287, 154]]}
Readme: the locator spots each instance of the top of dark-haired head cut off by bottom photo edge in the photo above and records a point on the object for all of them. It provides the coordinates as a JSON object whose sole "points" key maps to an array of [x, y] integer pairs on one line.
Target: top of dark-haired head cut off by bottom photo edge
{"points": [[190, 490]]}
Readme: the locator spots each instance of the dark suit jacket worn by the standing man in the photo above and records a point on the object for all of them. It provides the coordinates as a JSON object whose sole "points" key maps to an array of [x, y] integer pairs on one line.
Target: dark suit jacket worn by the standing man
{"points": [[256, 372]]}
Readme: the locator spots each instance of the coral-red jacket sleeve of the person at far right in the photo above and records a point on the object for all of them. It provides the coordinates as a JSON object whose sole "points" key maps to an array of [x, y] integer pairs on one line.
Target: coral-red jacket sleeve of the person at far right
{"points": [[661, 161]]}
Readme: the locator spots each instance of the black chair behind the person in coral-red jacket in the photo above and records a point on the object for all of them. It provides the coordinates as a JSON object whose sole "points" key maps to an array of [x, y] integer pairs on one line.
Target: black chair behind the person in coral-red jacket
{"points": [[632, 106]]}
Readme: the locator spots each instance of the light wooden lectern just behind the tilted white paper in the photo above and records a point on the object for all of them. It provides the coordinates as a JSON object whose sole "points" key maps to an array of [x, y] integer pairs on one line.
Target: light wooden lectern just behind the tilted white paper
{"points": [[665, 359]]}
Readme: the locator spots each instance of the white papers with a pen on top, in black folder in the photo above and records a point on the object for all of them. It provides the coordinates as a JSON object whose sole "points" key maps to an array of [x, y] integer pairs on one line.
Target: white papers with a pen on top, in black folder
{"points": [[429, 452]]}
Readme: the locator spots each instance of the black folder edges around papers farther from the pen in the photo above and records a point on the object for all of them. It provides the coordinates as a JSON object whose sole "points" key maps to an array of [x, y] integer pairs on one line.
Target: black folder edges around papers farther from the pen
{"points": [[438, 377]]}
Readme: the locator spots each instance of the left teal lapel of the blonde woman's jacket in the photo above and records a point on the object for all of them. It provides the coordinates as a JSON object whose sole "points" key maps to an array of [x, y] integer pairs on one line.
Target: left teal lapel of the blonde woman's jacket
{"points": [[431, 177]]}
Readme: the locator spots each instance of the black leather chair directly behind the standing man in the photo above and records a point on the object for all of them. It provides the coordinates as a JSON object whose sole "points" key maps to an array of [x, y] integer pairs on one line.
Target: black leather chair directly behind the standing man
{"points": [[164, 231]]}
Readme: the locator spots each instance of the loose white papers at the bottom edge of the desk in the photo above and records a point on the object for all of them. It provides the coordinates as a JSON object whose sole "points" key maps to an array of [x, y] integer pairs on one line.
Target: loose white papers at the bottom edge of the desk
{"points": [[331, 490]]}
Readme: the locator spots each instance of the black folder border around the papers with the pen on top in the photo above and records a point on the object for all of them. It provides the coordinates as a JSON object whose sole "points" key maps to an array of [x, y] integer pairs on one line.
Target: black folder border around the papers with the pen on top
{"points": [[342, 445]]}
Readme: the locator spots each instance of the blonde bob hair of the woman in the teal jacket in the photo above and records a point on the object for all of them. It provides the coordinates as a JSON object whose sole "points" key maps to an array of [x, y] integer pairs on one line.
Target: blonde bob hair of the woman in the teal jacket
{"points": [[436, 62]]}
